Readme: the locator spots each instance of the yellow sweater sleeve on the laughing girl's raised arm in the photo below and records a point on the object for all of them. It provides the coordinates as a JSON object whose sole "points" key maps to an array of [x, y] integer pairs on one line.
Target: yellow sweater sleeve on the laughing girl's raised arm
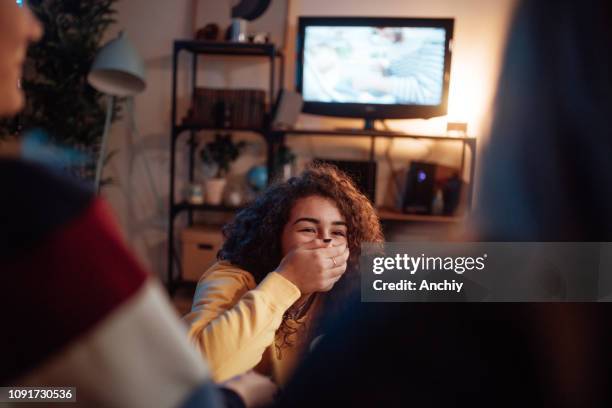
{"points": [[233, 321]]}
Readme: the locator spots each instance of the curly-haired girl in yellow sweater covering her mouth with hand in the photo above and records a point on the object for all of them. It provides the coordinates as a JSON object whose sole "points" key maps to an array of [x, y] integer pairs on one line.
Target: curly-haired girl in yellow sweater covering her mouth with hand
{"points": [[288, 259]]}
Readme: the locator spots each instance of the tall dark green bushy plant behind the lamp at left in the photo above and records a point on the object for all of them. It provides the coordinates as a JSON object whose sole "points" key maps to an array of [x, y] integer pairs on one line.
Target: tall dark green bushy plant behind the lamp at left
{"points": [[59, 99]]}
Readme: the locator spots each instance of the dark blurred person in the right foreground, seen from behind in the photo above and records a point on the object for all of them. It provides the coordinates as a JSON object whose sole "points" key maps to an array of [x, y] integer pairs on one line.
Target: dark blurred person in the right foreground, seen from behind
{"points": [[547, 175]]}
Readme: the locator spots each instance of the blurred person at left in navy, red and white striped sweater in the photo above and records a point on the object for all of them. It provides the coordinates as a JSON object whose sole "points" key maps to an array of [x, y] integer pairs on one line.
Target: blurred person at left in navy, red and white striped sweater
{"points": [[77, 309]]}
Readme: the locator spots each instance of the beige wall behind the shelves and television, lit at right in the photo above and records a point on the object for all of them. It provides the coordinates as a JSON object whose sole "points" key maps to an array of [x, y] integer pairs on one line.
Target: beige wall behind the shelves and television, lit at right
{"points": [[139, 198]]}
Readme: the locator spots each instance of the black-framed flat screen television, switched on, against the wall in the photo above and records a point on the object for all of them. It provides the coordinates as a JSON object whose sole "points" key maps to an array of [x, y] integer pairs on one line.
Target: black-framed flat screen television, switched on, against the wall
{"points": [[374, 68]]}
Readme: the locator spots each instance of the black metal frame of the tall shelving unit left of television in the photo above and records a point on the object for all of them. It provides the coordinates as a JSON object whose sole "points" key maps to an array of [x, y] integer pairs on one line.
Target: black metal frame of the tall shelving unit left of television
{"points": [[180, 127]]}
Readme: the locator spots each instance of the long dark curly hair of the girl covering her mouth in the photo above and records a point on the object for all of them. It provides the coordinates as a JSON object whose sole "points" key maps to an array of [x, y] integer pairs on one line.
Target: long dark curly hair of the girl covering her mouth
{"points": [[253, 239]]}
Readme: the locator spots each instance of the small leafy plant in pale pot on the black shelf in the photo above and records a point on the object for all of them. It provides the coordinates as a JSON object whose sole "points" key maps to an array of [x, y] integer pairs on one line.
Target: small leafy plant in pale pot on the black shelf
{"points": [[218, 156]]}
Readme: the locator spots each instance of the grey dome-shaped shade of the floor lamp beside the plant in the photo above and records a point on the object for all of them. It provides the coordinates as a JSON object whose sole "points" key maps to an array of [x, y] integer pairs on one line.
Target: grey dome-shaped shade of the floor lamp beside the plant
{"points": [[118, 70]]}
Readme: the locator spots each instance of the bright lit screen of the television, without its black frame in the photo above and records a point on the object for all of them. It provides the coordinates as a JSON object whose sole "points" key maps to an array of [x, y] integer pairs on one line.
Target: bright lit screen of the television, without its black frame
{"points": [[383, 65]]}
